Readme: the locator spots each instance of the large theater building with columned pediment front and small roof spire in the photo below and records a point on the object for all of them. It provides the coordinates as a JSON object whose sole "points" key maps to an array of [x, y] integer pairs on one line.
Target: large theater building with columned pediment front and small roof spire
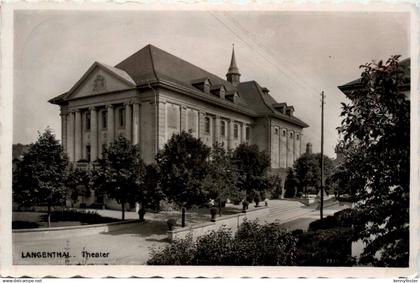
{"points": [[152, 95]]}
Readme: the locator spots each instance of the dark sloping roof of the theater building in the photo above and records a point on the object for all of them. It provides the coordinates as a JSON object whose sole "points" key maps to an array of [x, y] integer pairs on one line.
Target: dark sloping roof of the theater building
{"points": [[153, 65]]}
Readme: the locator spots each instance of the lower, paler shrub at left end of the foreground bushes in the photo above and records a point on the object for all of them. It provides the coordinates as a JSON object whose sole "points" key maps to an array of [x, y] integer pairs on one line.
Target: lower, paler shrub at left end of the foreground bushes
{"points": [[179, 252]]}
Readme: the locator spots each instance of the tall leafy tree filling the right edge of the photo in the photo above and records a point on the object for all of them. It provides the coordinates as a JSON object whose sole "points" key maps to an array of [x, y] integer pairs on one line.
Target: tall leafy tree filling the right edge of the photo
{"points": [[375, 135]]}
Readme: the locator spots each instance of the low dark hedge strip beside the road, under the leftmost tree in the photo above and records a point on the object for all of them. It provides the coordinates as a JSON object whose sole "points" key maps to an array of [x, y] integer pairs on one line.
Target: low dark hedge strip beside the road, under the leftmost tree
{"points": [[85, 217]]}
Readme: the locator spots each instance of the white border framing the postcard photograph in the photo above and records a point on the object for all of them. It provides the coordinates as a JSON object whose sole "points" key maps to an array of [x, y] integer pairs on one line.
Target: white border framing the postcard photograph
{"points": [[6, 122]]}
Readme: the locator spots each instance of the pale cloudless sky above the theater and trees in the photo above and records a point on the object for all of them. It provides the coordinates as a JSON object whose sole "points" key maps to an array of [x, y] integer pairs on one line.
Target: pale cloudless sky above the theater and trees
{"points": [[296, 55]]}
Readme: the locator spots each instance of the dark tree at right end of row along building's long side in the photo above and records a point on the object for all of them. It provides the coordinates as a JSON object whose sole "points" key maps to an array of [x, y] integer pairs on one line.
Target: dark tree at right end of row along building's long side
{"points": [[251, 166]]}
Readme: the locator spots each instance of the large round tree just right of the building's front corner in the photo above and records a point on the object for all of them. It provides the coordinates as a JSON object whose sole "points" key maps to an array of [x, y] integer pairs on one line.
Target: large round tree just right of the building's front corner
{"points": [[183, 168]]}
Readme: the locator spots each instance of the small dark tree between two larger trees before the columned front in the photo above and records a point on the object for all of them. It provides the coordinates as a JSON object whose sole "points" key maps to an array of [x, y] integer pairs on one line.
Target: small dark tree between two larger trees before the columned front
{"points": [[77, 182]]}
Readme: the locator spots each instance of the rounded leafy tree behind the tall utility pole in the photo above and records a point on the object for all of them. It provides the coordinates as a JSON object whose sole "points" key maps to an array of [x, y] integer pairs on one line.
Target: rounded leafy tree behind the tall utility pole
{"points": [[307, 169]]}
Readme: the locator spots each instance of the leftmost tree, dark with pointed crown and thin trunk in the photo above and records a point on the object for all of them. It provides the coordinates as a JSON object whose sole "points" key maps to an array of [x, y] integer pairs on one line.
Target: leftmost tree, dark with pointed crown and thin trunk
{"points": [[38, 178]]}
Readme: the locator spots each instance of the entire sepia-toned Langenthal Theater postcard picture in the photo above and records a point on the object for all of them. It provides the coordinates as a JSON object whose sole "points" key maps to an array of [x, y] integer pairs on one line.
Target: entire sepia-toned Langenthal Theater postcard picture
{"points": [[211, 137]]}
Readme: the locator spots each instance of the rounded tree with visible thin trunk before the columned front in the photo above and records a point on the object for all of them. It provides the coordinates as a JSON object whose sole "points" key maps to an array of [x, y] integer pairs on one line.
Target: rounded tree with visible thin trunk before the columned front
{"points": [[120, 172]]}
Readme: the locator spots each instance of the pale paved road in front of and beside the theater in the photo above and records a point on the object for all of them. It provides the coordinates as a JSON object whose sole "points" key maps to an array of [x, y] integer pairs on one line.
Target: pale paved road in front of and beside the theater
{"points": [[132, 245]]}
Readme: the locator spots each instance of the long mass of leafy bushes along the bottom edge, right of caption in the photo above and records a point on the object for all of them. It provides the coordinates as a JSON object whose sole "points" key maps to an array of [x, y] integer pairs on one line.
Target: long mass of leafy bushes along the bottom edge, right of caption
{"points": [[253, 244]]}
